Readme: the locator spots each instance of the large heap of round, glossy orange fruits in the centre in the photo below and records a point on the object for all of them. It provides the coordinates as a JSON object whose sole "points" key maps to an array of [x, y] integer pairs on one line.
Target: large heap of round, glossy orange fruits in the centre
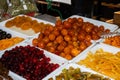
{"points": [[68, 38]]}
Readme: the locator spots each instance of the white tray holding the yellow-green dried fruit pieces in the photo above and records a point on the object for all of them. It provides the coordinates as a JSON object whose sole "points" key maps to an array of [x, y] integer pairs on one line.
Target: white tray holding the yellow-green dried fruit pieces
{"points": [[74, 65]]}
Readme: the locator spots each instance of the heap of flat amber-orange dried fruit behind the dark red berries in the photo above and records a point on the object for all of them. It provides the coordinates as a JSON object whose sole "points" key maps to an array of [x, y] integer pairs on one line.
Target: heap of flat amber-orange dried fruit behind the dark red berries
{"points": [[25, 23]]}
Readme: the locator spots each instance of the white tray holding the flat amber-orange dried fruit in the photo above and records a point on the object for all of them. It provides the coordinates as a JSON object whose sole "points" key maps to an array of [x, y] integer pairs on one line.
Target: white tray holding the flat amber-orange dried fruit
{"points": [[25, 32]]}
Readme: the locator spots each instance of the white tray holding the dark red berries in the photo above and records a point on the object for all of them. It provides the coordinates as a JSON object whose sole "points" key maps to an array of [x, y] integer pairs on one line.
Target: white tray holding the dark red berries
{"points": [[54, 59]]}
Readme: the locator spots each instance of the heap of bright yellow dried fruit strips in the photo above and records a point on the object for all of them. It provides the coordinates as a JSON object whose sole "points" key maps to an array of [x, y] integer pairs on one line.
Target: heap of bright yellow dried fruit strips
{"points": [[104, 62]]}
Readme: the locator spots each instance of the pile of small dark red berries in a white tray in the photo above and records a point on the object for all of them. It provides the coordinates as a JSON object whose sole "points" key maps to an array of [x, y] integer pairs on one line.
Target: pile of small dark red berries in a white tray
{"points": [[28, 61]]}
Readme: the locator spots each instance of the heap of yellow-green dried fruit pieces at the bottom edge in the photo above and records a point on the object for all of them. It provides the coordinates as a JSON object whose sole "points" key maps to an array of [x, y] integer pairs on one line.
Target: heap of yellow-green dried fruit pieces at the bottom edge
{"points": [[77, 74]]}
